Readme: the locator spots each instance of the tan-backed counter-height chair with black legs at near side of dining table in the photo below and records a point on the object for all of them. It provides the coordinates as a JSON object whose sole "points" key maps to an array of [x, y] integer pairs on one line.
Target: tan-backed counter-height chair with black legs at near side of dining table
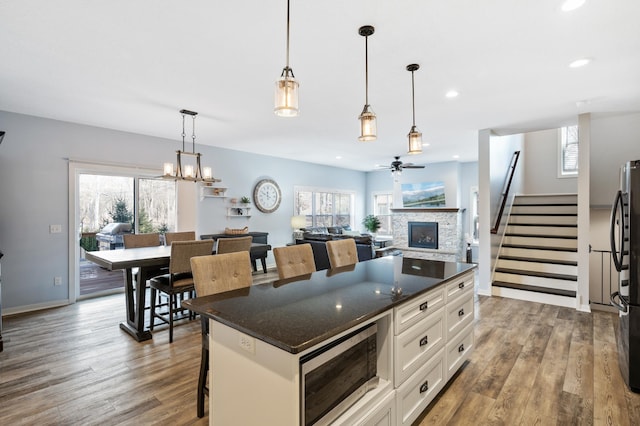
{"points": [[178, 281]]}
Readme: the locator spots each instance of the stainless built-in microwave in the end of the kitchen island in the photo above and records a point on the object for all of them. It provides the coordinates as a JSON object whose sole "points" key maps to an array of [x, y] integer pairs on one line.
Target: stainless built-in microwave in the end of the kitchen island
{"points": [[336, 376]]}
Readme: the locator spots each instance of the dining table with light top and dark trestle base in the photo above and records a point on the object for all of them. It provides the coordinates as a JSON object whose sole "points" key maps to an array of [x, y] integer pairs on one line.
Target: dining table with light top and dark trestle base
{"points": [[147, 260]]}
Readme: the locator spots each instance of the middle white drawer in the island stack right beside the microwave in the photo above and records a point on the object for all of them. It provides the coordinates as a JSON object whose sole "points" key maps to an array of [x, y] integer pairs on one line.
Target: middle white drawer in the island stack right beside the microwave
{"points": [[416, 345]]}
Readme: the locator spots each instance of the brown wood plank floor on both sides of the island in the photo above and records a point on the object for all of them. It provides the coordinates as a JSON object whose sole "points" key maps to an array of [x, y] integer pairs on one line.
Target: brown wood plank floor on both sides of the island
{"points": [[533, 364]]}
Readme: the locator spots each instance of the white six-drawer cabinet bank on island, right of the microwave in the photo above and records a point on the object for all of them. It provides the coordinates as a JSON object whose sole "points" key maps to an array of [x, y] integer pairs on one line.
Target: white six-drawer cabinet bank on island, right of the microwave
{"points": [[433, 338]]}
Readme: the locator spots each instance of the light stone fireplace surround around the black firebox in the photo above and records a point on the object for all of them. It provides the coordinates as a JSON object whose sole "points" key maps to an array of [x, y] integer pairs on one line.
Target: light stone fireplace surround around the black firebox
{"points": [[450, 241]]}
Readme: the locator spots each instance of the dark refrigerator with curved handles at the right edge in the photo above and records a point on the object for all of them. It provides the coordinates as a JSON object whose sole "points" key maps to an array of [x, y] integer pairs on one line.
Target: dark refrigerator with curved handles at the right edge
{"points": [[625, 250]]}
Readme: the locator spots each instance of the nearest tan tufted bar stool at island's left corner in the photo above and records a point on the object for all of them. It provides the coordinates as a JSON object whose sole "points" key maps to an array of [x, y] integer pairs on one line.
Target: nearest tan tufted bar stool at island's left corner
{"points": [[211, 275]]}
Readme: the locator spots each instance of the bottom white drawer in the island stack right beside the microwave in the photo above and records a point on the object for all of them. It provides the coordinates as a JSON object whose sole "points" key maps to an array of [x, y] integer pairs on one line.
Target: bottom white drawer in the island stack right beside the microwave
{"points": [[417, 392]]}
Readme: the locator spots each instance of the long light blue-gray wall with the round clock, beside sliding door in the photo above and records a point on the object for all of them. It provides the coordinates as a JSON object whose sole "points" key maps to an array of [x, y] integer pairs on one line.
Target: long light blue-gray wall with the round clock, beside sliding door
{"points": [[34, 194]]}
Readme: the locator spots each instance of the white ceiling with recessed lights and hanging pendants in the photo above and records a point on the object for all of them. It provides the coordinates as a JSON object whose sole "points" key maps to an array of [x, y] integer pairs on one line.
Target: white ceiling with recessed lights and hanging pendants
{"points": [[132, 65]]}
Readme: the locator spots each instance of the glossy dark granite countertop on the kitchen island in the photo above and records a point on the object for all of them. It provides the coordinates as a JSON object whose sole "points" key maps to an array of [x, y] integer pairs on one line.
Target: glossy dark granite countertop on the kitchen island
{"points": [[297, 314]]}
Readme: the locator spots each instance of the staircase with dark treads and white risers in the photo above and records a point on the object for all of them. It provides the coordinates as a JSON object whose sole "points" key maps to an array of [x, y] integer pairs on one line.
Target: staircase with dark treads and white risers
{"points": [[538, 257]]}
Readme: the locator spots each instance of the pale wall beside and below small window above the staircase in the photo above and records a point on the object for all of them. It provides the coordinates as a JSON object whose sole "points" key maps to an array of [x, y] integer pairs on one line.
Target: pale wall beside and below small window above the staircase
{"points": [[540, 165]]}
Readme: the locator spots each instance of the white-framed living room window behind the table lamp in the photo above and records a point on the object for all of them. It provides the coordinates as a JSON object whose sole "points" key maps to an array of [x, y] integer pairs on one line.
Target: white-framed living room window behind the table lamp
{"points": [[324, 208]]}
